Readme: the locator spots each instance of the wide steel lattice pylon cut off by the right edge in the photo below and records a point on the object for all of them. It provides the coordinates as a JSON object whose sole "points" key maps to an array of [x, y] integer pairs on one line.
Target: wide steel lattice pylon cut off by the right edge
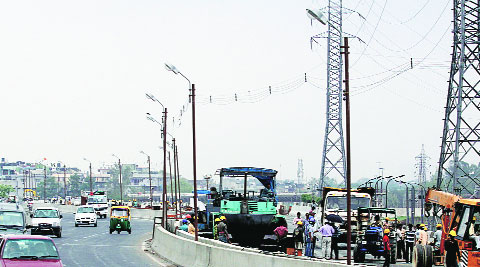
{"points": [[461, 132]]}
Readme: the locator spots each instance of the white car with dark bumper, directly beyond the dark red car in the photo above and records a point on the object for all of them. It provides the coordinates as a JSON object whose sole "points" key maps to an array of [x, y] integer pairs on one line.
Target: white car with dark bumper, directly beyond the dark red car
{"points": [[46, 220]]}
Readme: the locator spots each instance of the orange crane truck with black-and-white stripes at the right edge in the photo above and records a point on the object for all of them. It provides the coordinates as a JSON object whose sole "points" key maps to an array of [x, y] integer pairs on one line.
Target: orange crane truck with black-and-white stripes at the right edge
{"points": [[461, 215]]}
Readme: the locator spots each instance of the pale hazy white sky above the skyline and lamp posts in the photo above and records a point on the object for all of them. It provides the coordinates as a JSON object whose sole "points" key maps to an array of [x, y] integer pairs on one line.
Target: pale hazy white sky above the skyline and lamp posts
{"points": [[73, 78]]}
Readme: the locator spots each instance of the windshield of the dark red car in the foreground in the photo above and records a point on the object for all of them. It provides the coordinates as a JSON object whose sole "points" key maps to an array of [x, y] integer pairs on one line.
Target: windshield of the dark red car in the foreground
{"points": [[29, 248]]}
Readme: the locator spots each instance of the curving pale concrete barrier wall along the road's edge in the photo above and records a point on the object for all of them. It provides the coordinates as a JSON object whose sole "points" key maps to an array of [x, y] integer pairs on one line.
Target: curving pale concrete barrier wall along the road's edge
{"points": [[186, 252]]}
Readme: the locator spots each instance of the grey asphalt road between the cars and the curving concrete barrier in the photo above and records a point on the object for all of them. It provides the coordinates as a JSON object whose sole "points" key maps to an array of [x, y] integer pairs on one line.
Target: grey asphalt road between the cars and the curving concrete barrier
{"points": [[94, 246]]}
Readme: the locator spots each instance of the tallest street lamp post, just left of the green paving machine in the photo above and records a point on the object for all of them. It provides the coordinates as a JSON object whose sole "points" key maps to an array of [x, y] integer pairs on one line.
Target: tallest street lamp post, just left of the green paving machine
{"points": [[173, 69]]}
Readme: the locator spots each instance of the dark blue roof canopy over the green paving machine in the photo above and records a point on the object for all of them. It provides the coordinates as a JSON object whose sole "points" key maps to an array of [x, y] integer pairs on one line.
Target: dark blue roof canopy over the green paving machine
{"points": [[265, 176]]}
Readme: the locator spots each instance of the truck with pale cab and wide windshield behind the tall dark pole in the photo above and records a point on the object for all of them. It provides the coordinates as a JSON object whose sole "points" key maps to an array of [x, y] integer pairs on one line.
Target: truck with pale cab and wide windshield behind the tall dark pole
{"points": [[334, 201]]}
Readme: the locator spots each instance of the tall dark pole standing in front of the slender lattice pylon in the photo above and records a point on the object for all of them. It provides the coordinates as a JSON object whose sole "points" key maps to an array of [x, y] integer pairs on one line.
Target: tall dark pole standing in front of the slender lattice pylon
{"points": [[349, 162]]}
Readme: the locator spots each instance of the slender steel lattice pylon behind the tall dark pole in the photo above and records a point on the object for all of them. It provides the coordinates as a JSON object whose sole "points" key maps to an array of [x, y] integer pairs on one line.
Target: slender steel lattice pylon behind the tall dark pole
{"points": [[333, 158]]}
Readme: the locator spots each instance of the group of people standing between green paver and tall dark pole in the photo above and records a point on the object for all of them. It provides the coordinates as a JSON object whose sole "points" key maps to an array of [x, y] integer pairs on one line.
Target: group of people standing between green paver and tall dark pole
{"points": [[308, 232]]}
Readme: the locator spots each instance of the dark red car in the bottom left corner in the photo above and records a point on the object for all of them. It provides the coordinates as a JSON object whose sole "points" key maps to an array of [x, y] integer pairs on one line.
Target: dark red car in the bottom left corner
{"points": [[28, 250]]}
